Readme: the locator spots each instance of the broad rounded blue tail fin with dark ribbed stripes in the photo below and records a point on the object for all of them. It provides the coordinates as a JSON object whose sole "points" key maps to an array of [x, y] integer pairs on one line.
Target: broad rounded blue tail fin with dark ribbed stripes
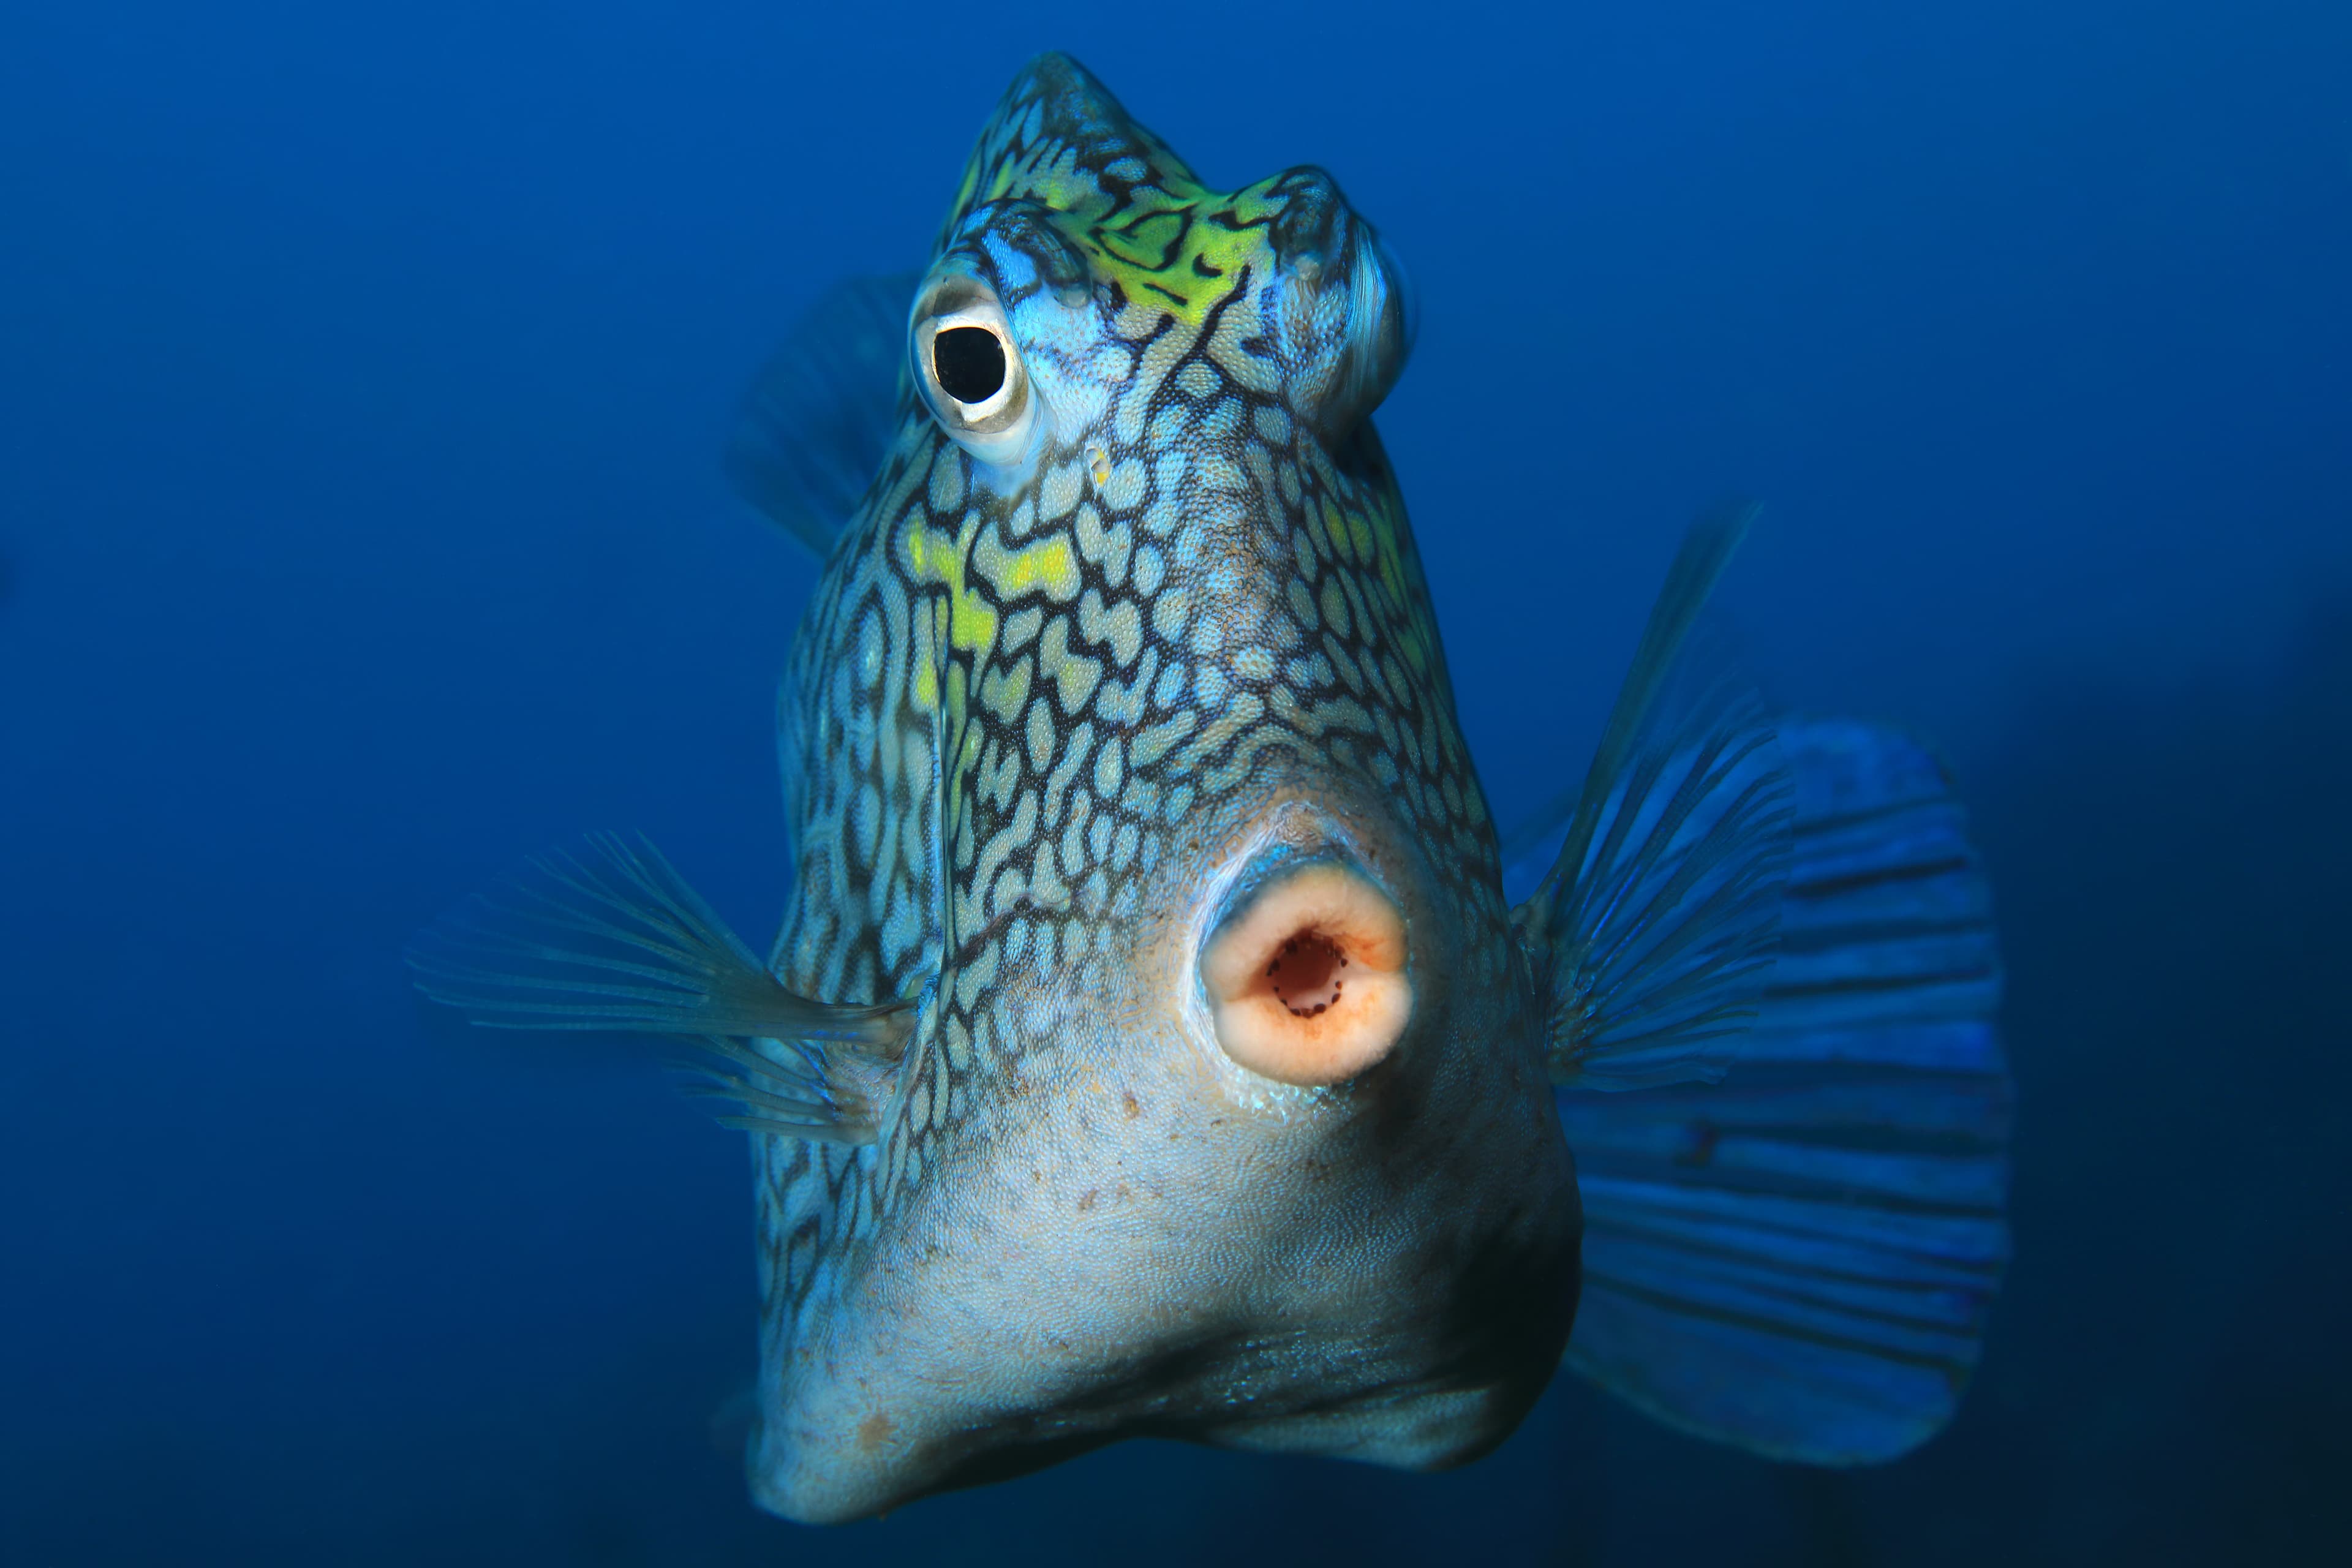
{"points": [[1800, 1259]]}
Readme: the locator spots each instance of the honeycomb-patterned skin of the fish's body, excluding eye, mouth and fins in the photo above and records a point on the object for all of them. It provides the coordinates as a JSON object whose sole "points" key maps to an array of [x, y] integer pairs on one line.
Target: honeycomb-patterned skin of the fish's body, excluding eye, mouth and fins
{"points": [[1029, 716]]}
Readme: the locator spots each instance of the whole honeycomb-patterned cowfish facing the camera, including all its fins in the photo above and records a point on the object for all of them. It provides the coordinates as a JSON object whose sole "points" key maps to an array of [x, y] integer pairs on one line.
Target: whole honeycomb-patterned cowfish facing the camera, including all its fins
{"points": [[1151, 1047]]}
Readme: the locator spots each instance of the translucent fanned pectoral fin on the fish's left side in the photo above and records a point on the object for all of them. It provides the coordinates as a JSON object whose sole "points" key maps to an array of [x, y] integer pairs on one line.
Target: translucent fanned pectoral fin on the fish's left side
{"points": [[608, 937]]}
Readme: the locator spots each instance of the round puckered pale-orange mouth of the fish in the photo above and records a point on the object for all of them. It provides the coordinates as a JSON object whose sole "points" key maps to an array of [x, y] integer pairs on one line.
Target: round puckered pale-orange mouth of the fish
{"points": [[1309, 979]]}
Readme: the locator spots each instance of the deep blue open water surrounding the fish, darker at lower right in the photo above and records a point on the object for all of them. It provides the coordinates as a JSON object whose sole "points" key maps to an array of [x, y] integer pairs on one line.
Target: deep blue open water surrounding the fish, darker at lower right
{"points": [[361, 382]]}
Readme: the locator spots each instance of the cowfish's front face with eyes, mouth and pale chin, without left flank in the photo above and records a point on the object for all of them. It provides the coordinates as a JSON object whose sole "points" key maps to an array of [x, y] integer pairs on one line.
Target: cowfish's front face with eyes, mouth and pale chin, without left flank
{"points": [[1224, 1115]]}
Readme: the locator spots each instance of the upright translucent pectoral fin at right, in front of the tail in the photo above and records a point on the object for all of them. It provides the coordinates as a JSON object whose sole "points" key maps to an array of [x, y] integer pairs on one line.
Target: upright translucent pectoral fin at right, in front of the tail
{"points": [[1655, 930]]}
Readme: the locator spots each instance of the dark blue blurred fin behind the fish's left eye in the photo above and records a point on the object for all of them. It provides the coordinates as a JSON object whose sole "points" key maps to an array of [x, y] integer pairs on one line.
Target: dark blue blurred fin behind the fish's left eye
{"points": [[820, 417]]}
